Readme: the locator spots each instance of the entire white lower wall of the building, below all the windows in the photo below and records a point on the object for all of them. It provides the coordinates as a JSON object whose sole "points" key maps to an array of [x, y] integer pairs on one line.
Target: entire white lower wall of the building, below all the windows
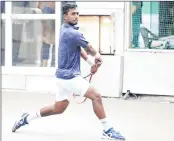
{"points": [[144, 73]]}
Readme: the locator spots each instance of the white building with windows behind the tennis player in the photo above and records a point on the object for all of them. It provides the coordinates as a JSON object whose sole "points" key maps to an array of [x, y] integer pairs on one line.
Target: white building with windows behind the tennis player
{"points": [[31, 31]]}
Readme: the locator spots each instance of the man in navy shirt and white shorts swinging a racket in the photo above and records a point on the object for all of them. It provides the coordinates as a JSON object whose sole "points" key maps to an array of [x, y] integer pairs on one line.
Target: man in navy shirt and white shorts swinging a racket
{"points": [[72, 45]]}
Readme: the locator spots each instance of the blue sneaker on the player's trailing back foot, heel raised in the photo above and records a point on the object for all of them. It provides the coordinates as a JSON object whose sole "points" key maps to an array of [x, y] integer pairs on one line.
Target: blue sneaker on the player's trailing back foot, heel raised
{"points": [[21, 122]]}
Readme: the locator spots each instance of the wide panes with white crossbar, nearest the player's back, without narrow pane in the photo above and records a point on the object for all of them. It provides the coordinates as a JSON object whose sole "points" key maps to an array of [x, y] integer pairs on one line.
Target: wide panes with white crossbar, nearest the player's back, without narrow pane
{"points": [[33, 36]]}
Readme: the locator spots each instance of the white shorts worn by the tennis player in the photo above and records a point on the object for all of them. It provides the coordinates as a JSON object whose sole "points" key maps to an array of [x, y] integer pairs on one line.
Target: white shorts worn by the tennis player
{"points": [[66, 88]]}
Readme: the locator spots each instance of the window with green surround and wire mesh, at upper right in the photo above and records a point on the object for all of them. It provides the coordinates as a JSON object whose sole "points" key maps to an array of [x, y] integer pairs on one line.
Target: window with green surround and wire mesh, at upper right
{"points": [[152, 25]]}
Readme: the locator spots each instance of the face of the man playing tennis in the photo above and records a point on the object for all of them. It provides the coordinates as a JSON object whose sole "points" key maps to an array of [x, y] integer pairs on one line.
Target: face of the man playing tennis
{"points": [[72, 16]]}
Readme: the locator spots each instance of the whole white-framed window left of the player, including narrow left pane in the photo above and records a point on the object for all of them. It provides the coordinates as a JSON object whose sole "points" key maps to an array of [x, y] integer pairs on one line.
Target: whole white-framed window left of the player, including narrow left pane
{"points": [[31, 33]]}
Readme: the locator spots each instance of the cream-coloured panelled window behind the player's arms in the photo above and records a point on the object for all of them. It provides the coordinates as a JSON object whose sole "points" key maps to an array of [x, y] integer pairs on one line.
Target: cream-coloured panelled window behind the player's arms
{"points": [[98, 30]]}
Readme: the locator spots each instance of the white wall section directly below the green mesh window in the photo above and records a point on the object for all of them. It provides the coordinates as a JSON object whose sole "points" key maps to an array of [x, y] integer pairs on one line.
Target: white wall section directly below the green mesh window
{"points": [[149, 73]]}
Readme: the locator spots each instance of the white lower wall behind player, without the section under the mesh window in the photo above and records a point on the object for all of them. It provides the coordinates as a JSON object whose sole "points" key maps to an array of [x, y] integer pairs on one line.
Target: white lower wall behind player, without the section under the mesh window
{"points": [[106, 80]]}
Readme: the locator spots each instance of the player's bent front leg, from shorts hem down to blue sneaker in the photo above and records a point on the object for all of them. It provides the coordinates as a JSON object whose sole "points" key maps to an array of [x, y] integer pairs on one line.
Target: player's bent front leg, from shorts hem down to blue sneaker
{"points": [[89, 91]]}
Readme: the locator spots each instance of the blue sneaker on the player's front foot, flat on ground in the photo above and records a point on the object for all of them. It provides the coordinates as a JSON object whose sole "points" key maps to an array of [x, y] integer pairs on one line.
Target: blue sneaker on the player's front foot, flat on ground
{"points": [[113, 135]]}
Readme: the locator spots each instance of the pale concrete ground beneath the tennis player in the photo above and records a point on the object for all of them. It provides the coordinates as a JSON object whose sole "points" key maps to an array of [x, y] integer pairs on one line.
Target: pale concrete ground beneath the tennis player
{"points": [[137, 120]]}
